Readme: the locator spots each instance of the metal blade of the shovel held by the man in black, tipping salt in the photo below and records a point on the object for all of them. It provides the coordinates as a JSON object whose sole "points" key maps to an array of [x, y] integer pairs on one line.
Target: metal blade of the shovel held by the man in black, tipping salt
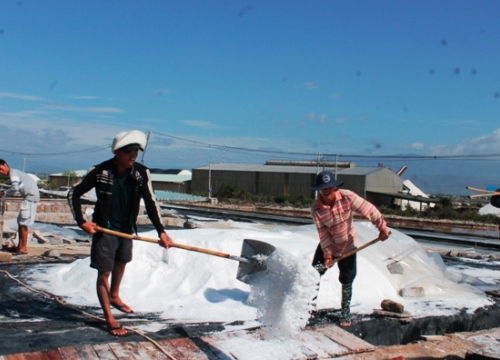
{"points": [[254, 250]]}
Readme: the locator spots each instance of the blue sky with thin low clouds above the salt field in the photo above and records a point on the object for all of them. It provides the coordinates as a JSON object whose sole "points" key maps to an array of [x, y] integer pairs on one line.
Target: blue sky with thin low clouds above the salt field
{"points": [[246, 81]]}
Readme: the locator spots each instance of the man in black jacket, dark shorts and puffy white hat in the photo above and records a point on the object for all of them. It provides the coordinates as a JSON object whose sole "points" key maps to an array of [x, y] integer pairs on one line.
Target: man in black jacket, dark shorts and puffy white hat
{"points": [[120, 183]]}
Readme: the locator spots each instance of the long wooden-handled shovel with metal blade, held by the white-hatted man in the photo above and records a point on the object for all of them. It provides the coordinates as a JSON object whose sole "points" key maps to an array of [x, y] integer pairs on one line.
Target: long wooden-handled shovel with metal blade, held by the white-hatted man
{"points": [[249, 262]]}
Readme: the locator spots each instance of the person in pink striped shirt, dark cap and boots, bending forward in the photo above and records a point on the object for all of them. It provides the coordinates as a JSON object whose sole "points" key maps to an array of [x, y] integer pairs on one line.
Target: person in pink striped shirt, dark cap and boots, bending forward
{"points": [[333, 213]]}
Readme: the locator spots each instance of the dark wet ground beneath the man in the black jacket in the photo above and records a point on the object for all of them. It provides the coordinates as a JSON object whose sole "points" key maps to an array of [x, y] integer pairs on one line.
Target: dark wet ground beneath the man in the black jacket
{"points": [[30, 321]]}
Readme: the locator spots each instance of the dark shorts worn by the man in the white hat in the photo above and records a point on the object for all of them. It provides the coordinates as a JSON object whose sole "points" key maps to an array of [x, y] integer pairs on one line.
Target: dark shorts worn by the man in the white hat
{"points": [[106, 249]]}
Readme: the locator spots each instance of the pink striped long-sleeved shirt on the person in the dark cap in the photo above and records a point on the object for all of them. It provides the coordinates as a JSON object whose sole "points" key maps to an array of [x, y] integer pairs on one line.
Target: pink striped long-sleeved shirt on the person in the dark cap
{"points": [[334, 223]]}
